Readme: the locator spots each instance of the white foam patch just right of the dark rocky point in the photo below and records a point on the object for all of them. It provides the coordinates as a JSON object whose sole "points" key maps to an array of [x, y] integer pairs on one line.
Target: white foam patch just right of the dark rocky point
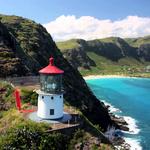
{"points": [[133, 128]]}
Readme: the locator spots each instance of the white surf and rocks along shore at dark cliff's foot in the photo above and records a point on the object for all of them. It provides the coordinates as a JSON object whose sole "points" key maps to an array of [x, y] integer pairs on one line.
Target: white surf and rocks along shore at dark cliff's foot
{"points": [[127, 126]]}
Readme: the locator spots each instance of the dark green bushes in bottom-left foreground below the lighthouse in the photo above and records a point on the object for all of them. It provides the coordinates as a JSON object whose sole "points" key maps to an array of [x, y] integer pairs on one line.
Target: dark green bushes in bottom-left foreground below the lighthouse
{"points": [[30, 135]]}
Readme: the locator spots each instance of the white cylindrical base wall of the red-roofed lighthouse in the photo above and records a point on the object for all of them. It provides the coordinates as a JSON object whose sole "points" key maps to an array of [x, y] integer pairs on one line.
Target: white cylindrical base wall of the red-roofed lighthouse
{"points": [[46, 103]]}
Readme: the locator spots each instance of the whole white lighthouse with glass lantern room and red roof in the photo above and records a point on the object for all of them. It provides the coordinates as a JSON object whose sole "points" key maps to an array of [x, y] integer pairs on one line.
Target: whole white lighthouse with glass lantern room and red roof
{"points": [[50, 95]]}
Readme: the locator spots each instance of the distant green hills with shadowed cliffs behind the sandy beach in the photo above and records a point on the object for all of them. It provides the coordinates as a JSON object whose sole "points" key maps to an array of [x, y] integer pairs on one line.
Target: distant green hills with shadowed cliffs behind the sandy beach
{"points": [[107, 56]]}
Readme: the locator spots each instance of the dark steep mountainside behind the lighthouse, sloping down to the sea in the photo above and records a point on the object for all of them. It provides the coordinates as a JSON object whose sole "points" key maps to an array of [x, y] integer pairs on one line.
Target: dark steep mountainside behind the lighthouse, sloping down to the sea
{"points": [[32, 46]]}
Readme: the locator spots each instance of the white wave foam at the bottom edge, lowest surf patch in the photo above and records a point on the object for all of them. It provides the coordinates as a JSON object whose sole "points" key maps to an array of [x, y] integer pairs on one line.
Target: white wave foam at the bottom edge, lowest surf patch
{"points": [[134, 143]]}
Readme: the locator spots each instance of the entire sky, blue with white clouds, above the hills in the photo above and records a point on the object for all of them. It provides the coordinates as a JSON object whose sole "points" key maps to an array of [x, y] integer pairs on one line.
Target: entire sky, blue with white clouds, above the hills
{"points": [[87, 19]]}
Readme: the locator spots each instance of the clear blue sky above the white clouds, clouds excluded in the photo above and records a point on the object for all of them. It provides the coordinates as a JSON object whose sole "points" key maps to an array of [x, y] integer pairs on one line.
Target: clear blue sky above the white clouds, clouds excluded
{"points": [[44, 11]]}
